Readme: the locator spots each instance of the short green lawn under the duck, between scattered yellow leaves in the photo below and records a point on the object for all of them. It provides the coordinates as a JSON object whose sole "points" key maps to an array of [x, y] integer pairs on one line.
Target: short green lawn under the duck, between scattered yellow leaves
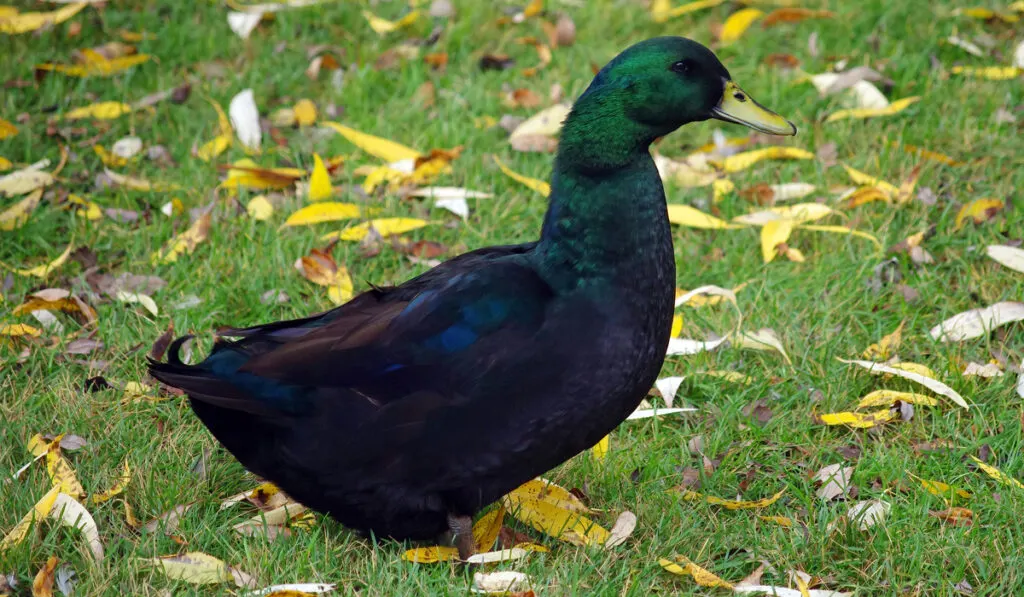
{"points": [[749, 439]]}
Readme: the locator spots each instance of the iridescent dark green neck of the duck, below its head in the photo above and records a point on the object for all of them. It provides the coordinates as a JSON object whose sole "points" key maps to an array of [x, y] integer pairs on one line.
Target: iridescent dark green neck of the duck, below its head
{"points": [[607, 217]]}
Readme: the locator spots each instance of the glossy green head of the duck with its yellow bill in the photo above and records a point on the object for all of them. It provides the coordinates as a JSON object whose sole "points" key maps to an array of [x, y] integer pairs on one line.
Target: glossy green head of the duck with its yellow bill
{"points": [[666, 82]]}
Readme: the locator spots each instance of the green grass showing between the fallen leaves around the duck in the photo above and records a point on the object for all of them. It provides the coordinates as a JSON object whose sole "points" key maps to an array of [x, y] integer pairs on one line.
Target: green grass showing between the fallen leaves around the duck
{"points": [[822, 309]]}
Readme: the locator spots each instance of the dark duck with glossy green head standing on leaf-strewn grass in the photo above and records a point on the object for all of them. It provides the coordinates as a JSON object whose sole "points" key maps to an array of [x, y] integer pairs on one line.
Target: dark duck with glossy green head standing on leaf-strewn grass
{"points": [[405, 412]]}
